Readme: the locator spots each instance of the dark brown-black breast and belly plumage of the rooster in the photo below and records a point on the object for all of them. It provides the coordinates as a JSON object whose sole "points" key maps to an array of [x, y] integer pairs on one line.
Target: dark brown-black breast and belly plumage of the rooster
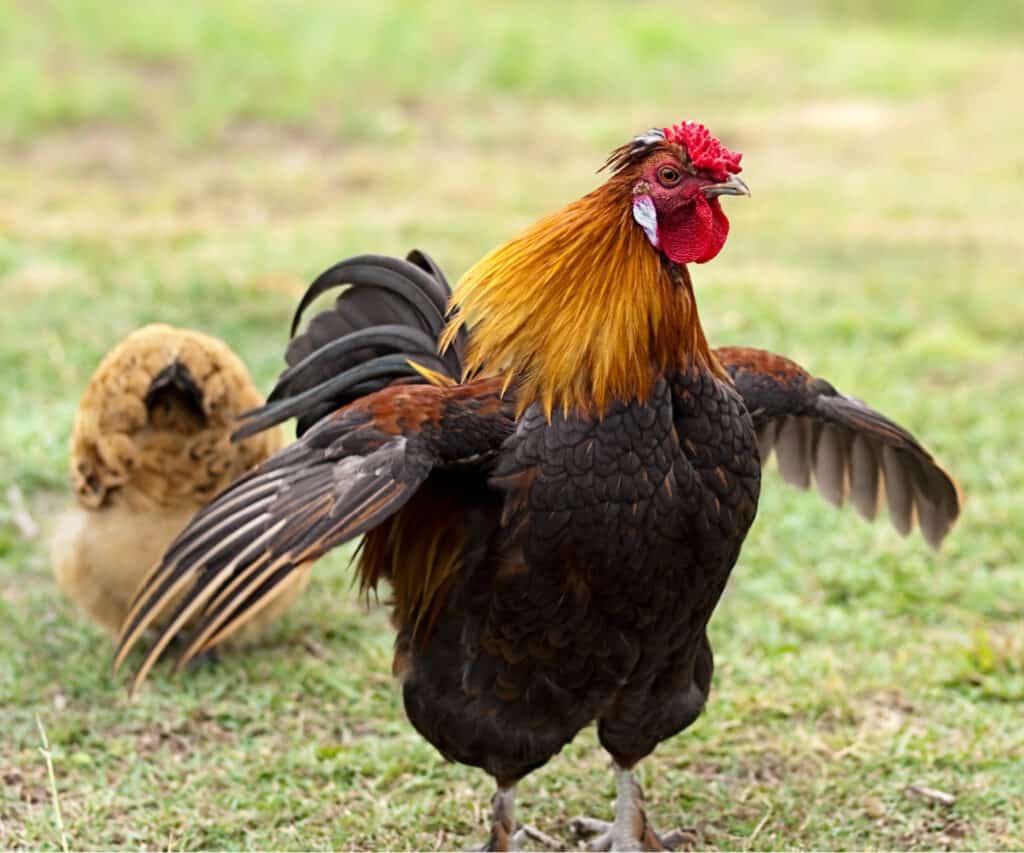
{"points": [[596, 556]]}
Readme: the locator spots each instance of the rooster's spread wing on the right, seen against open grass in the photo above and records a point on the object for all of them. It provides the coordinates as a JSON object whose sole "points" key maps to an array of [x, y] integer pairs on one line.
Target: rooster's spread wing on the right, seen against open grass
{"points": [[851, 450]]}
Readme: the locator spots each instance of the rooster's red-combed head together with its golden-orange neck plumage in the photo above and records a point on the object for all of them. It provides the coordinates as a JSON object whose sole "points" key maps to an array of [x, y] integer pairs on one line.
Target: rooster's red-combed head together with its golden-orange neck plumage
{"points": [[593, 302]]}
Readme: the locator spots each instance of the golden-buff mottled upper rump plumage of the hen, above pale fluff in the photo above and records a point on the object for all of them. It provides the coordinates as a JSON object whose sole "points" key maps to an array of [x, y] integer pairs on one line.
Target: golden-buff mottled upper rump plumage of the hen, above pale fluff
{"points": [[169, 453]]}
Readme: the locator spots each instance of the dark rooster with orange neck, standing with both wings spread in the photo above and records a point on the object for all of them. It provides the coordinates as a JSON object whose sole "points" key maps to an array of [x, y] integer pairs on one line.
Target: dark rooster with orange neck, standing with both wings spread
{"points": [[556, 483]]}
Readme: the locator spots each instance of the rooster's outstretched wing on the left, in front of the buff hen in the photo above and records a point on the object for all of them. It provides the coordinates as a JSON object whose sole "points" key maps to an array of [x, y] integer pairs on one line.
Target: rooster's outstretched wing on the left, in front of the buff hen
{"points": [[349, 474]]}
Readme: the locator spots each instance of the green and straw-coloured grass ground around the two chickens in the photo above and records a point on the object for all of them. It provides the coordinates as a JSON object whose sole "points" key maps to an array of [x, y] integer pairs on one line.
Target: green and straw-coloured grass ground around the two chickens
{"points": [[199, 163]]}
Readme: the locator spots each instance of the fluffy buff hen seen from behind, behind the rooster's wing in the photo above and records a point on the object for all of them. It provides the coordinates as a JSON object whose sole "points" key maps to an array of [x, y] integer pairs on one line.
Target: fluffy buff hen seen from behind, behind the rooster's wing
{"points": [[150, 448]]}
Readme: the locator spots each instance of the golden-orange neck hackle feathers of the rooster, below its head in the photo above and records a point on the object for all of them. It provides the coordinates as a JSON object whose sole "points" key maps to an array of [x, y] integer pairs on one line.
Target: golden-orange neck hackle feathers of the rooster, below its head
{"points": [[581, 311]]}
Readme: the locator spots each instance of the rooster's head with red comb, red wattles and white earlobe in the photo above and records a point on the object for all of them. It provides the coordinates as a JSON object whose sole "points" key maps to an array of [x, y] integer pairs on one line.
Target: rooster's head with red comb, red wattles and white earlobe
{"points": [[675, 177]]}
